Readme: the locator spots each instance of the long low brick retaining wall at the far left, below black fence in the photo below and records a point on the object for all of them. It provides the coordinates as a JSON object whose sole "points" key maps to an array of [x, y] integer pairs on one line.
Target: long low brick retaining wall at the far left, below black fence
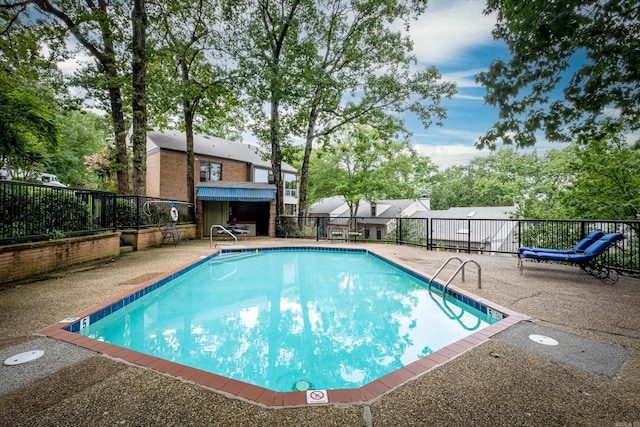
{"points": [[32, 259]]}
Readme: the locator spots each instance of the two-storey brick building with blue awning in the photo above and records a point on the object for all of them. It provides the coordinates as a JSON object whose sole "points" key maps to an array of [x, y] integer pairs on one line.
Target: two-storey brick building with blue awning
{"points": [[232, 188]]}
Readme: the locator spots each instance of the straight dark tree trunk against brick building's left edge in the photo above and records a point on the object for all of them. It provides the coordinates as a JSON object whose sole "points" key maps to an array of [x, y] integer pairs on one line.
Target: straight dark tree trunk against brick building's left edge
{"points": [[139, 106]]}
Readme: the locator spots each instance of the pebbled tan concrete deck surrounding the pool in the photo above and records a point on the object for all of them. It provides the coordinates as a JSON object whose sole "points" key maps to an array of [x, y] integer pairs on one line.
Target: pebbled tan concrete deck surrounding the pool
{"points": [[503, 382]]}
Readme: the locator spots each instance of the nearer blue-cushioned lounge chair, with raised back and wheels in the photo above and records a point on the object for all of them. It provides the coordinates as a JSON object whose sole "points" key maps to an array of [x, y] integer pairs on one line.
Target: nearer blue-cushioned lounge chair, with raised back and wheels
{"points": [[586, 260]]}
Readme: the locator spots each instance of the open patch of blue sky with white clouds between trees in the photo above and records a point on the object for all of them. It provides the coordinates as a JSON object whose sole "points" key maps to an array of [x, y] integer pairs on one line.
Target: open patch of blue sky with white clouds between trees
{"points": [[455, 36]]}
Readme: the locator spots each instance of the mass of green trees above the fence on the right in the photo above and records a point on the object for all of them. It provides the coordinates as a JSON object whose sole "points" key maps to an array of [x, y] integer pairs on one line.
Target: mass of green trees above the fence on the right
{"points": [[599, 180]]}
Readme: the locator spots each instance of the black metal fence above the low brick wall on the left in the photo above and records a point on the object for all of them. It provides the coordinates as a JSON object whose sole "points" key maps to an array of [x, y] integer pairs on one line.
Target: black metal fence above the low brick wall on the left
{"points": [[33, 212]]}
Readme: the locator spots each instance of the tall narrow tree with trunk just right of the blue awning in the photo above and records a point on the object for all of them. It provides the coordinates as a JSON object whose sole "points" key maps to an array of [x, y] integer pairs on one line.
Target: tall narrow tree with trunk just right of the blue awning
{"points": [[272, 53]]}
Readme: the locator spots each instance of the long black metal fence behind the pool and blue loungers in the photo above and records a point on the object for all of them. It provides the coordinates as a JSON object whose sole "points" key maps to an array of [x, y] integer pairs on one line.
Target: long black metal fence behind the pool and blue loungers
{"points": [[470, 235]]}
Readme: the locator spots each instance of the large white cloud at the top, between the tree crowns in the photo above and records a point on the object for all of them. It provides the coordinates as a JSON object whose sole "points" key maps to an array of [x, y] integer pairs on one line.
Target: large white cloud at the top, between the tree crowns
{"points": [[448, 28]]}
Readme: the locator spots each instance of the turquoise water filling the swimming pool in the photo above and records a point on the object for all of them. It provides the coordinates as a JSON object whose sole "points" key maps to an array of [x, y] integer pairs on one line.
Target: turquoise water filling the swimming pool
{"points": [[336, 319]]}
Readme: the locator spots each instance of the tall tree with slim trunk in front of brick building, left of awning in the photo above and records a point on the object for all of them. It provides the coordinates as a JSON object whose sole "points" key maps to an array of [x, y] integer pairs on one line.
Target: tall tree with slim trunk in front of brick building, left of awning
{"points": [[186, 79]]}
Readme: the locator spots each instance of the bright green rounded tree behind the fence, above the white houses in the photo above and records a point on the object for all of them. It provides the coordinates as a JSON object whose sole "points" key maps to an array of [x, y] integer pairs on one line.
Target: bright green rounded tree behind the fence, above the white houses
{"points": [[365, 164]]}
